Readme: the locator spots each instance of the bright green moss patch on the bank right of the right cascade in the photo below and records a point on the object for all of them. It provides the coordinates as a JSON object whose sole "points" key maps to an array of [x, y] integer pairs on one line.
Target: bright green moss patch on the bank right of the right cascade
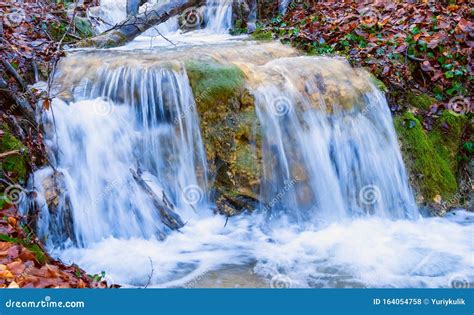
{"points": [[433, 173]]}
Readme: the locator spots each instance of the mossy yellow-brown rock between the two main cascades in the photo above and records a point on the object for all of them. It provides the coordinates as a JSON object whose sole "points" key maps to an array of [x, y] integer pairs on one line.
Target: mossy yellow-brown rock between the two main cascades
{"points": [[229, 127]]}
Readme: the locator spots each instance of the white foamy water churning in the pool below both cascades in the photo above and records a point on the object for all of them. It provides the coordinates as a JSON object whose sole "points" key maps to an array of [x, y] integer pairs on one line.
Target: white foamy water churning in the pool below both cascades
{"points": [[362, 253]]}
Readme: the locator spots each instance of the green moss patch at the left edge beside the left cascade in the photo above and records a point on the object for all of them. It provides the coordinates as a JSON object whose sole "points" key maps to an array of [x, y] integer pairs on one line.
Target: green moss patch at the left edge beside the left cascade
{"points": [[15, 165]]}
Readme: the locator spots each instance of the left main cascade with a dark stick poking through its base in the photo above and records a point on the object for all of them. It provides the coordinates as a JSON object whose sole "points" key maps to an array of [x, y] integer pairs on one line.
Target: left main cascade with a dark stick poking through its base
{"points": [[127, 119]]}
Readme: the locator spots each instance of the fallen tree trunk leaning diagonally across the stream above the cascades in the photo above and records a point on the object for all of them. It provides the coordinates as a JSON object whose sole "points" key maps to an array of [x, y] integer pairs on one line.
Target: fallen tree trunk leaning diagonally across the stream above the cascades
{"points": [[133, 26]]}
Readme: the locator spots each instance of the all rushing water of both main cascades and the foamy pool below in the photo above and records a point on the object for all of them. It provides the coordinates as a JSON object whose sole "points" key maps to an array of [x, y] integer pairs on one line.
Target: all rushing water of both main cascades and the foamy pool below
{"points": [[336, 211]]}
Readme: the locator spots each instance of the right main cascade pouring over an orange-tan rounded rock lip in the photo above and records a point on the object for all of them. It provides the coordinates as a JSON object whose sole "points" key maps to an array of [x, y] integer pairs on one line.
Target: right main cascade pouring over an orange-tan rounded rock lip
{"points": [[329, 147]]}
